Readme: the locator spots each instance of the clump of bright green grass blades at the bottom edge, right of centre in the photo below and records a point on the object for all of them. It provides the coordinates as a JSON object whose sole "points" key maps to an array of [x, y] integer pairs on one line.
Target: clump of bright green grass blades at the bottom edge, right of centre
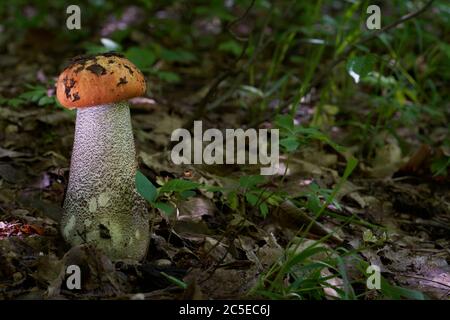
{"points": [[312, 270]]}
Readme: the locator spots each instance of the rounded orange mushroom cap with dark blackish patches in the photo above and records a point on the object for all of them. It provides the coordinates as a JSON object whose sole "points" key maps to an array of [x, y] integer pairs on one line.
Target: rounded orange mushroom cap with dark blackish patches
{"points": [[101, 79]]}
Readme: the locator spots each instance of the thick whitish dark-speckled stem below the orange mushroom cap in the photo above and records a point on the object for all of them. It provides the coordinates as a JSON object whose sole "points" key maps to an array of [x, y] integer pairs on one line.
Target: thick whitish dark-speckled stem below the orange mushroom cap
{"points": [[101, 205]]}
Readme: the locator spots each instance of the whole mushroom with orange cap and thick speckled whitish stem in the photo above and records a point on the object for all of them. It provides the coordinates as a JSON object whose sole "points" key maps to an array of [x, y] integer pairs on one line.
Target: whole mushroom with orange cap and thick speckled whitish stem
{"points": [[102, 205]]}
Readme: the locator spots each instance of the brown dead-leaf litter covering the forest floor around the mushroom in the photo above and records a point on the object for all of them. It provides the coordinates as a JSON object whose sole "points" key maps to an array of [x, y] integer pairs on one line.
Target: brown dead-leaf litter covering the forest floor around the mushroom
{"points": [[391, 212]]}
